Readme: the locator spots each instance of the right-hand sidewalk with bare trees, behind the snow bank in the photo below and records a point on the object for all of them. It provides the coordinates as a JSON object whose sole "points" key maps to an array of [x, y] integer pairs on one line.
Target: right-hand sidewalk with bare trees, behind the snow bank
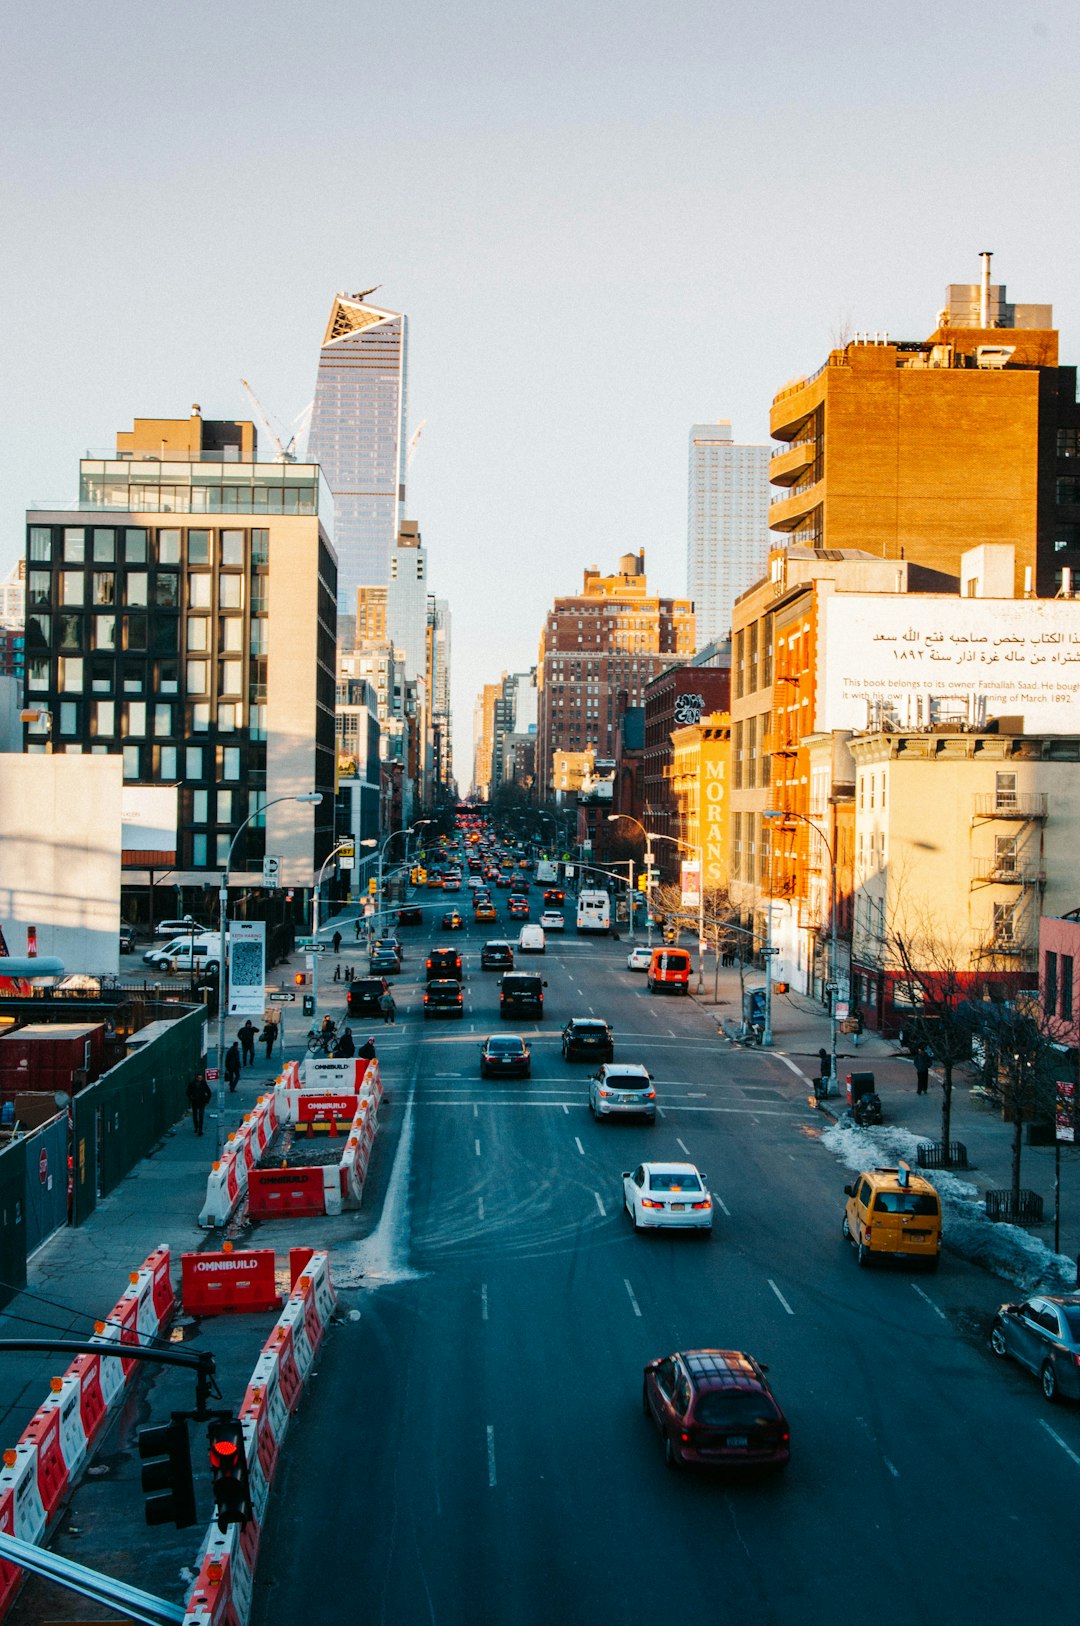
{"points": [[801, 1027]]}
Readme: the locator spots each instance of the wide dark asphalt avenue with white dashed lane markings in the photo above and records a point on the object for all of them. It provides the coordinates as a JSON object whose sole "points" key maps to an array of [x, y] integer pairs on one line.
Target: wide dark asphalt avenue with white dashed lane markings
{"points": [[474, 1450]]}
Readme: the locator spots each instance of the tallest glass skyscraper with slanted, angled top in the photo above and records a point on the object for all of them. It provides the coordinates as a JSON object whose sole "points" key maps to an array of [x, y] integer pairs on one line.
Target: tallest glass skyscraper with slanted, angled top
{"points": [[359, 437]]}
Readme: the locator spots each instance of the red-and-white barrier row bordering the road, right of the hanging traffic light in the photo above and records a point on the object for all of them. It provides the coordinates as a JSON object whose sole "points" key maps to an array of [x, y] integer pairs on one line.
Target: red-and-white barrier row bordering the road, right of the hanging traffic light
{"points": [[227, 1563]]}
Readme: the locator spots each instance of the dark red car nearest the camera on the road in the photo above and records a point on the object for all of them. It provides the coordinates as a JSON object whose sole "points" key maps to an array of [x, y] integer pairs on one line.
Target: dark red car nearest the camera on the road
{"points": [[715, 1409]]}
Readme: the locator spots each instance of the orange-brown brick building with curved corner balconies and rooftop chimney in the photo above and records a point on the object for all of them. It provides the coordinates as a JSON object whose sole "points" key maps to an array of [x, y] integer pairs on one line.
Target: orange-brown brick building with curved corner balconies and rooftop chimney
{"points": [[921, 450]]}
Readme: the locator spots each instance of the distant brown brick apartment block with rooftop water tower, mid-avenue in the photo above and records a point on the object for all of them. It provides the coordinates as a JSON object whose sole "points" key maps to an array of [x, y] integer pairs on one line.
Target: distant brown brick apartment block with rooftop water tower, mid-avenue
{"points": [[598, 653]]}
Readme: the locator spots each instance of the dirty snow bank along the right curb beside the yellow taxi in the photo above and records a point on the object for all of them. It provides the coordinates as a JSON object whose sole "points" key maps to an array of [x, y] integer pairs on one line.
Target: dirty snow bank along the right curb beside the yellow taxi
{"points": [[1006, 1250]]}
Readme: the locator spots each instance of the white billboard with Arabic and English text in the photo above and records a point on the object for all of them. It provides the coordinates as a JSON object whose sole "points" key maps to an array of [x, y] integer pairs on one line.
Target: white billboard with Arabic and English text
{"points": [[910, 661]]}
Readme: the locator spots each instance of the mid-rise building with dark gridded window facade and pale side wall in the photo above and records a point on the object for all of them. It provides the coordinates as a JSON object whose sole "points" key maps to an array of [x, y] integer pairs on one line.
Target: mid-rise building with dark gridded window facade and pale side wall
{"points": [[185, 619]]}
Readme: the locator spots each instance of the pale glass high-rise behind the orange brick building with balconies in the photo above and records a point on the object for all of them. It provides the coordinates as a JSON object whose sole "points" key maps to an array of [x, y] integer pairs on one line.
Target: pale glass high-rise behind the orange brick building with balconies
{"points": [[728, 533]]}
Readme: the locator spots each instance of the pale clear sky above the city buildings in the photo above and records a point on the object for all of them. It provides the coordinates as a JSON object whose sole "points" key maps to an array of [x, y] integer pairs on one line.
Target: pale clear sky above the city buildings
{"points": [[606, 224]]}
